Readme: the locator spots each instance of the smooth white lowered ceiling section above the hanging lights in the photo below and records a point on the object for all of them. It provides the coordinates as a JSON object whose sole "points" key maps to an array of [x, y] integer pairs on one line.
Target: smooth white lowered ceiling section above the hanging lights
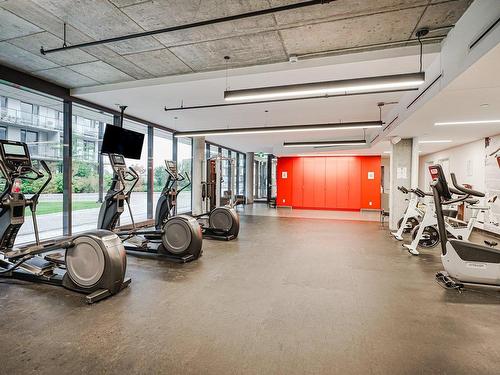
{"points": [[147, 99]]}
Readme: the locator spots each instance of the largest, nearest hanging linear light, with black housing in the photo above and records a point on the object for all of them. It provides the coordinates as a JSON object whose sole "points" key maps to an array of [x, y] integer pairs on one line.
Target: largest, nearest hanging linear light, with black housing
{"points": [[328, 87]]}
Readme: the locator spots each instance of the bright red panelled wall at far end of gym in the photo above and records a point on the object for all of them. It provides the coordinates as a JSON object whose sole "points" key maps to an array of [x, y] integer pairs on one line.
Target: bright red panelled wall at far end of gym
{"points": [[329, 182]]}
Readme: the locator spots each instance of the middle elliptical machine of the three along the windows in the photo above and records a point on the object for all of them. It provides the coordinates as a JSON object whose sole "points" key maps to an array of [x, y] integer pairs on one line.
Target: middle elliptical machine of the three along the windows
{"points": [[177, 239]]}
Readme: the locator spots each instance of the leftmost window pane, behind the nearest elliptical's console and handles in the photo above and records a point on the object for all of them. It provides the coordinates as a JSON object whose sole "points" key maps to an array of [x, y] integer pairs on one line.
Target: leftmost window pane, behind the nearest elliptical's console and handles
{"points": [[35, 119]]}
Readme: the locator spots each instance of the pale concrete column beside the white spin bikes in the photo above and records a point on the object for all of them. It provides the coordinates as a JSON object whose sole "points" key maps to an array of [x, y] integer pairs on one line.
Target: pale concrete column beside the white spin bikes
{"points": [[401, 175]]}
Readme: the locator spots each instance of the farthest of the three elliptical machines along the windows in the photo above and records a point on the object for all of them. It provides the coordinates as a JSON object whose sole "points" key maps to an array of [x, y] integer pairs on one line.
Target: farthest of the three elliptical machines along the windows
{"points": [[221, 223]]}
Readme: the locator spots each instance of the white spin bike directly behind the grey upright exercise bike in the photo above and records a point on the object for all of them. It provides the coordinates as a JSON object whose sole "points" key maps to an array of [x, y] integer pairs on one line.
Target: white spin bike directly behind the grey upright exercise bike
{"points": [[426, 234]]}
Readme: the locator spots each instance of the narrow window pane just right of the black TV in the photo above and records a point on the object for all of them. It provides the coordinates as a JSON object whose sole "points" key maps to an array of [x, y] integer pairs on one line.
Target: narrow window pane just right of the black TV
{"points": [[162, 150]]}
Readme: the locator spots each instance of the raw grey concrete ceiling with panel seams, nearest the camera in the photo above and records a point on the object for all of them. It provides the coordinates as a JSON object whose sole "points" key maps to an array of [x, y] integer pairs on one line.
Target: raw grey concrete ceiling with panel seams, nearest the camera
{"points": [[27, 25]]}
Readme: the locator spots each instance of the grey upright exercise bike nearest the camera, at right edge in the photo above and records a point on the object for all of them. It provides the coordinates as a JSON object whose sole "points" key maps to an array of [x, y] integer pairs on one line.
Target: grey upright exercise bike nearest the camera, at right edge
{"points": [[465, 263]]}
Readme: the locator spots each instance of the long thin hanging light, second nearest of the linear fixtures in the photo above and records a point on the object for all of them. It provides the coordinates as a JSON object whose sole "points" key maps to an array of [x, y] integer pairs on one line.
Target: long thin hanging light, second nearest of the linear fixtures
{"points": [[282, 129]]}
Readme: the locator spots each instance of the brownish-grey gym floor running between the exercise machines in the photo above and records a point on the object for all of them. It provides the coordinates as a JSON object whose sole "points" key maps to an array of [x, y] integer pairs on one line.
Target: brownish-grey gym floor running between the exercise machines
{"points": [[290, 296]]}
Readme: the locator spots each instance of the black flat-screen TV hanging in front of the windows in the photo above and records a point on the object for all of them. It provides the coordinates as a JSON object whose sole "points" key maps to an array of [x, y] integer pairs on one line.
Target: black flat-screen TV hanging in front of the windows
{"points": [[121, 141]]}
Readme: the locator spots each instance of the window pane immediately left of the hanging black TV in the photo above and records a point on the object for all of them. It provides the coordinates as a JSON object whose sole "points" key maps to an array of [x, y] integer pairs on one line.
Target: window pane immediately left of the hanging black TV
{"points": [[88, 128]]}
